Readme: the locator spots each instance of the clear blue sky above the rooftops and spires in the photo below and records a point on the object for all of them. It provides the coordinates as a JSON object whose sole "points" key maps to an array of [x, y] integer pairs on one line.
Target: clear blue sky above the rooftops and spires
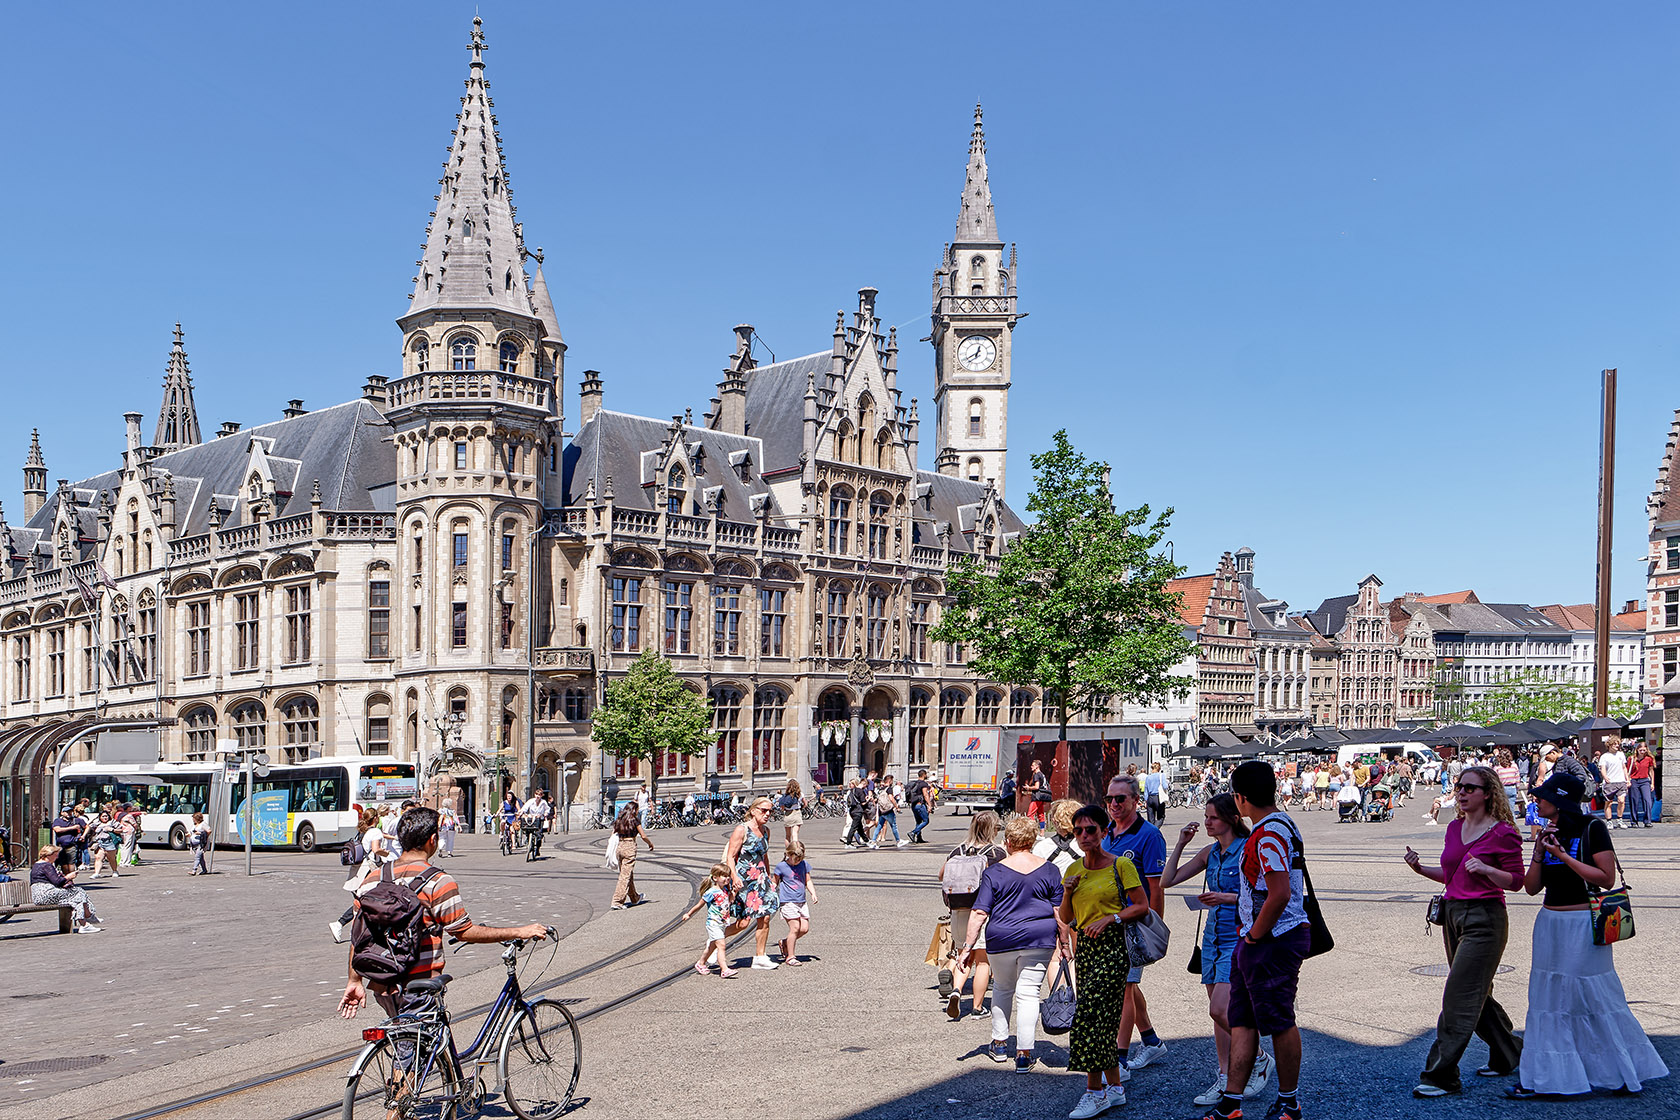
{"points": [[1335, 281]]}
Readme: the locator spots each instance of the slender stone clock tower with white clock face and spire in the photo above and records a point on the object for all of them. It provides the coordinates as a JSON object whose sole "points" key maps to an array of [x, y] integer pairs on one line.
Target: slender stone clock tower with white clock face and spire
{"points": [[974, 322]]}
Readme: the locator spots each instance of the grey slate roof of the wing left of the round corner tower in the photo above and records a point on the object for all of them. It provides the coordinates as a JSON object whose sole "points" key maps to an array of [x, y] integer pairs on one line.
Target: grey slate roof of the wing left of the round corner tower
{"points": [[349, 447]]}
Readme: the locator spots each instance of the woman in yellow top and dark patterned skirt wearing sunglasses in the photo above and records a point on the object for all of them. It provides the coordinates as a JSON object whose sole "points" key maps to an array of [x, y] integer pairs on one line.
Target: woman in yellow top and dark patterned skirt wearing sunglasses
{"points": [[1098, 894]]}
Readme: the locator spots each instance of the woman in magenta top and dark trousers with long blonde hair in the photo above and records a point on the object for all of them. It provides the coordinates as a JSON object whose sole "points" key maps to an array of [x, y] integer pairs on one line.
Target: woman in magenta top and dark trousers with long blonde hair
{"points": [[1481, 862]]}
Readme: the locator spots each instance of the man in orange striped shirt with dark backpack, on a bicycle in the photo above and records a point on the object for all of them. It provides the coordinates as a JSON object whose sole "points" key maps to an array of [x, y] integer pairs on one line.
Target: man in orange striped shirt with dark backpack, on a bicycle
{"points": [[444, 914]]}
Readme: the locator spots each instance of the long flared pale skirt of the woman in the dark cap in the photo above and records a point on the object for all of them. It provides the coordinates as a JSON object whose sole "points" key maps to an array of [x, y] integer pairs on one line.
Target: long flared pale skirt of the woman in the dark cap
{"points": [[1580, 1034]]}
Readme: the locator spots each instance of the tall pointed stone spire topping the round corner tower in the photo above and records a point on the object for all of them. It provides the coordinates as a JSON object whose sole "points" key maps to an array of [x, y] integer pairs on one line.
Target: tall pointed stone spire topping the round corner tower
{"points": [[475, 251]]}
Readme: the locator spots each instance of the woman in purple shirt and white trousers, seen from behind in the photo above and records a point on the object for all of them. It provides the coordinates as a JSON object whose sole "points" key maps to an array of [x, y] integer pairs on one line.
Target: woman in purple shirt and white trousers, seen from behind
{"points": [[1017, 911]]}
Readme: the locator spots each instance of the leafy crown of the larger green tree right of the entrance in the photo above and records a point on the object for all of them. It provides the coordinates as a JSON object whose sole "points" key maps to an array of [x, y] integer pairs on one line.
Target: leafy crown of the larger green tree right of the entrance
{"points": [[1079, 604]]}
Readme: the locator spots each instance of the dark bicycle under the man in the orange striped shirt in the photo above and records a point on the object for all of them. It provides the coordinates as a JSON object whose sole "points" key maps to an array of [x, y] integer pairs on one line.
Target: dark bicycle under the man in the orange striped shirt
{"points": [[411, 1067]]}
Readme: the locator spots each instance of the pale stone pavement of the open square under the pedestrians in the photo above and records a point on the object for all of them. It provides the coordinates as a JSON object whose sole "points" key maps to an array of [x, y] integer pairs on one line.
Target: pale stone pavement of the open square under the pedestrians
{"points": [[854, 1034]]}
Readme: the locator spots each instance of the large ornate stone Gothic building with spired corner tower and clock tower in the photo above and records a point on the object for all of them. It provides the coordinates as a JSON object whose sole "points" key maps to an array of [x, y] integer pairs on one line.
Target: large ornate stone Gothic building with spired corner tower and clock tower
{"points": [[438, 570]]}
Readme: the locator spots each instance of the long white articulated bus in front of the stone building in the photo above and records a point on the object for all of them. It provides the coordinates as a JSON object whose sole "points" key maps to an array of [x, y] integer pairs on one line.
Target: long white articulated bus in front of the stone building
{"points": [[307, 807]]}
